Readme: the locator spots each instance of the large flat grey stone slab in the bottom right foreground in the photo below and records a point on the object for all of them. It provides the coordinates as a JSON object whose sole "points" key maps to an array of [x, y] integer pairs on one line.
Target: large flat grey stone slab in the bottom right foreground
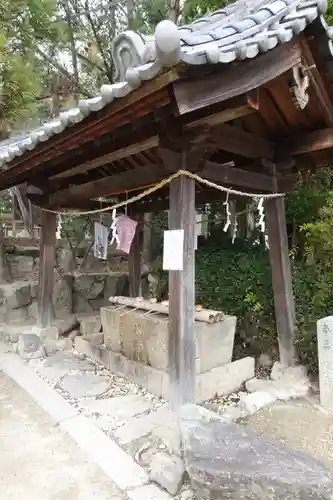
{"points": [[224, 460]]}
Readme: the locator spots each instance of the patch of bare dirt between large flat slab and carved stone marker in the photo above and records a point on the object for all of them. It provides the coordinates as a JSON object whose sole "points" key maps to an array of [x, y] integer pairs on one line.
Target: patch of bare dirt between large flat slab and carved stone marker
{"points": [[299, 425]]}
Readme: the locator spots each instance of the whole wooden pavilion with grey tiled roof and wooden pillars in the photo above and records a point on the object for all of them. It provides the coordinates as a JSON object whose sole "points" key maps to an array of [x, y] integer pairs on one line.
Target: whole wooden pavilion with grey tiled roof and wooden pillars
{"points": [[243, 97]]}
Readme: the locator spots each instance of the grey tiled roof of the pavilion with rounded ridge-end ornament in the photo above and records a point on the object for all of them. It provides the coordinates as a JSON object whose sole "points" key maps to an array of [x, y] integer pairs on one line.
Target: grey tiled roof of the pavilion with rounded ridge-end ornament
{"points": [[239, 31]]}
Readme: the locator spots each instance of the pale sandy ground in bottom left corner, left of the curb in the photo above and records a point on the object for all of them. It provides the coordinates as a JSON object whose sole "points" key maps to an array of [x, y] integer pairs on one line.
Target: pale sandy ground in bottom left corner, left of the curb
{"points": [[38, 460]]}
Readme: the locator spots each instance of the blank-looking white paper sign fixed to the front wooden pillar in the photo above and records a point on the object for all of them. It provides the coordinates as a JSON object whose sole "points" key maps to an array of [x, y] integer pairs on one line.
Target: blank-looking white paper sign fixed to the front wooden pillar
{"points": [[173, 250]]}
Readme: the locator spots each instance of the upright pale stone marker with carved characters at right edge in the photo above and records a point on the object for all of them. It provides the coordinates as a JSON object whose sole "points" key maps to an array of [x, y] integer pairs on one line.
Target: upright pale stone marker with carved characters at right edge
{"points": [[325, 356]]}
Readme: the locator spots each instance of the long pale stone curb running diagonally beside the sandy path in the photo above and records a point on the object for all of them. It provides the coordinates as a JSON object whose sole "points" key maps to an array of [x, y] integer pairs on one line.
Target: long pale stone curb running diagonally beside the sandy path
{"points": [[103, 451]]}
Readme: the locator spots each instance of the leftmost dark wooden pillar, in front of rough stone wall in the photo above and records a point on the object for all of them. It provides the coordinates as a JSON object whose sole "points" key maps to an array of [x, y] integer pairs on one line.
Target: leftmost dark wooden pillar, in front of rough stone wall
{"points": [[47, 264]]}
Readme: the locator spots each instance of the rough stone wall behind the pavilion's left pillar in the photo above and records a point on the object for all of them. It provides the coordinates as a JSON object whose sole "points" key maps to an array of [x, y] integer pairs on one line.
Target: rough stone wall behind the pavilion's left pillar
{"points": [[74, 292]]}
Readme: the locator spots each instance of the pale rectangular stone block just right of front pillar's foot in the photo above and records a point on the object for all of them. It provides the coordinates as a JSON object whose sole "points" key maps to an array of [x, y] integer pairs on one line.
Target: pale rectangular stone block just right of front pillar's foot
{"points": [[224, 379]]}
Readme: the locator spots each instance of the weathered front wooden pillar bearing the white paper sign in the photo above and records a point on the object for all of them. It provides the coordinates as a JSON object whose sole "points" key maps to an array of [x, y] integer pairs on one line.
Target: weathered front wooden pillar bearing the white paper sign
{"points": [[182, 373]]}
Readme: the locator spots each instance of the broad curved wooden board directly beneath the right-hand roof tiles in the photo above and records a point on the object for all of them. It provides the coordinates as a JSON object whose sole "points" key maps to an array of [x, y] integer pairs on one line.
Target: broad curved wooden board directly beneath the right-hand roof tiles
{"points": [[232, 81]]}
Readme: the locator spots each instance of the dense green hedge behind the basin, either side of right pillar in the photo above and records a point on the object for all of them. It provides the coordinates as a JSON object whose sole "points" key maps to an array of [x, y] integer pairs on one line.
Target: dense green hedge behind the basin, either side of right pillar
{"points": [[237, 279]]}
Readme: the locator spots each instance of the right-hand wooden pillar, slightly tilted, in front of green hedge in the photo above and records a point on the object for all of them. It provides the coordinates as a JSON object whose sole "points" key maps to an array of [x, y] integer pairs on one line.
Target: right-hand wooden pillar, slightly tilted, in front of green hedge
{"points": [[281, 278]]}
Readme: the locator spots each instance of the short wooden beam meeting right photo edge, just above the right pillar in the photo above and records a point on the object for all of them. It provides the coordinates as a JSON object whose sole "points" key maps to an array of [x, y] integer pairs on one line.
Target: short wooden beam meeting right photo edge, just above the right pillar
{"points": [[307, 143]]}
